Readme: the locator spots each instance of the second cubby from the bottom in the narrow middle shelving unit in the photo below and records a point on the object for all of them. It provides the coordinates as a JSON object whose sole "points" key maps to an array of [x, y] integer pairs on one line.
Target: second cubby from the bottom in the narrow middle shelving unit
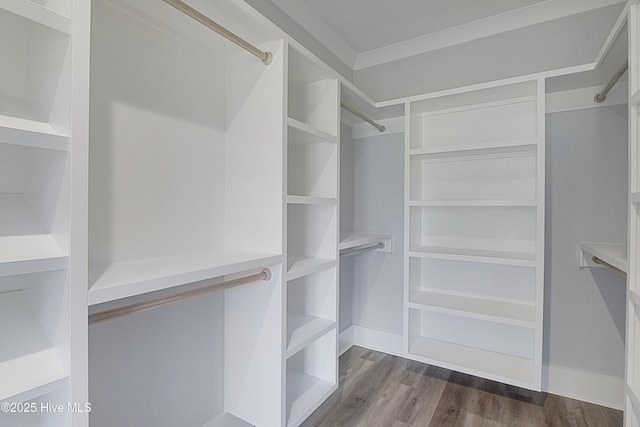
{"points": [[311, 308]]}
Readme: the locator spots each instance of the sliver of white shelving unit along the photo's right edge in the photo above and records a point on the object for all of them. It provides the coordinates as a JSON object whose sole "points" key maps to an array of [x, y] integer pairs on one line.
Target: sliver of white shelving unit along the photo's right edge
{"points": [[632, 372]]}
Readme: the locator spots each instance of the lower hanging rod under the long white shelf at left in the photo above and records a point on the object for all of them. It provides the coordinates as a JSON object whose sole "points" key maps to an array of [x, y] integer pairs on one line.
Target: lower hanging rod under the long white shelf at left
{"points": [[206, 287]]}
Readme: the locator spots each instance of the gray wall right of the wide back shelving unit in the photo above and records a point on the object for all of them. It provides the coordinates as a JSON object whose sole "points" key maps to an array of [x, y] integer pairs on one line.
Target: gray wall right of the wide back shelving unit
{"points": [[586, 200]]}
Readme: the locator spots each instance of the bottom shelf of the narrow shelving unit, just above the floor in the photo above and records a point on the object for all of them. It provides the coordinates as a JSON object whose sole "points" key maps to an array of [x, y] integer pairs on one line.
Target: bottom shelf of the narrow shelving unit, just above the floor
{"points": [[309, 391]]}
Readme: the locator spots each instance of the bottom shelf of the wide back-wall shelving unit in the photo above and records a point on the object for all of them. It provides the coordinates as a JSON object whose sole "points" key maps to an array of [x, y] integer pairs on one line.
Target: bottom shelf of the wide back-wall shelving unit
{"points": [[498, 366]]}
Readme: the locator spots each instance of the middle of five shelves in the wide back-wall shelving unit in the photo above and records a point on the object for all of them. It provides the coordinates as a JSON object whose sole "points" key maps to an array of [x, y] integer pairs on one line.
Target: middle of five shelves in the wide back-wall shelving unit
{"points": [[475, 255]]}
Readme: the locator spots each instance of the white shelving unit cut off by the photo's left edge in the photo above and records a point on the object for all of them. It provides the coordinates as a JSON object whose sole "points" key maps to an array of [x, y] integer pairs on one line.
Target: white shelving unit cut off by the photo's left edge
{"points": [[35, 91]]}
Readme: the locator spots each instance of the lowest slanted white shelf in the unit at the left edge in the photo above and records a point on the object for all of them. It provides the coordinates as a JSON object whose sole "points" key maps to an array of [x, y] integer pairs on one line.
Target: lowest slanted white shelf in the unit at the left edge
{"points": [[28, 362]]}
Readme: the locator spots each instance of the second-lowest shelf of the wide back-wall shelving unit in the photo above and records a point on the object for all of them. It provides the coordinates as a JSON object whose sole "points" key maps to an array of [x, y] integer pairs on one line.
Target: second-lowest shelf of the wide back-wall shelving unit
{"points": [[461, 312]]}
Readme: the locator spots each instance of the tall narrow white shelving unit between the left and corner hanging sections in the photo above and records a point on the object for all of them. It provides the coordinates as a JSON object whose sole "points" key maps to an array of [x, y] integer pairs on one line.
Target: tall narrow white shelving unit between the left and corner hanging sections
{"points": [[310, 232]]}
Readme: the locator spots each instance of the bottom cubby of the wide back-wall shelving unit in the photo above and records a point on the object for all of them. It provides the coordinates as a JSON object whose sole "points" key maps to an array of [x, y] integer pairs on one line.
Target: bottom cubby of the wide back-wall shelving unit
{"points": [[492, 350]]}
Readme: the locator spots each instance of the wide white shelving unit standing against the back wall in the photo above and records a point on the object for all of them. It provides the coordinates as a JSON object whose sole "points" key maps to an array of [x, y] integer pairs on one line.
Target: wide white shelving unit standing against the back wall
{"points": [[474, 224]]}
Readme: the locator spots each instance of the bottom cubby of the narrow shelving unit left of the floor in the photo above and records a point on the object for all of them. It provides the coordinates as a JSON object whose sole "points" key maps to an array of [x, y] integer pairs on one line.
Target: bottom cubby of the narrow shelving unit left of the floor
{"points": [[311, 377]]}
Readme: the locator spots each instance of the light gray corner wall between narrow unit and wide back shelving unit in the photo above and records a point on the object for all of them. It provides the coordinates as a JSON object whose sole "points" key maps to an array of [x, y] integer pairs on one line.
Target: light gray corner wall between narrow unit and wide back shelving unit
{"points": [[377, 186]]}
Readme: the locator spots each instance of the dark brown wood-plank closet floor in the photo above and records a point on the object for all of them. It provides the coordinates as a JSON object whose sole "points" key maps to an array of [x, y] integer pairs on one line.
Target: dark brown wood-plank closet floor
{"points": [[378, 389]]}
